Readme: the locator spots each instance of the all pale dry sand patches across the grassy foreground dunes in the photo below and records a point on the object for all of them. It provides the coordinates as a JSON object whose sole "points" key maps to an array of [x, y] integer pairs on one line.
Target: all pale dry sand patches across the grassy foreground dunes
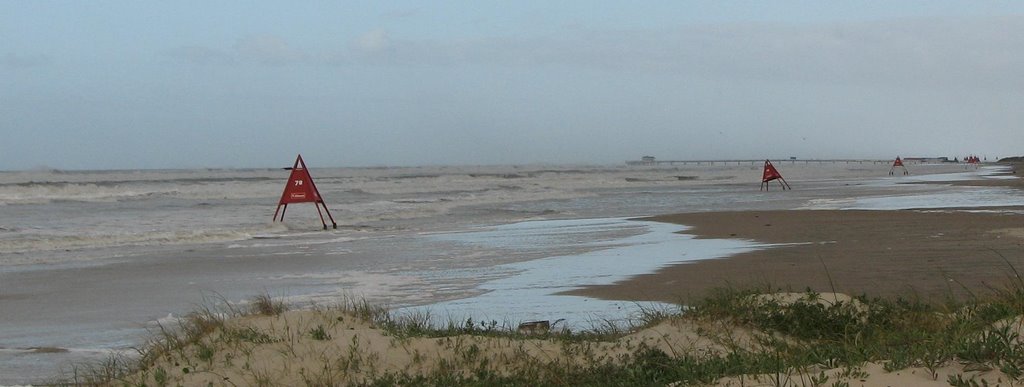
{"points": [[283, 351]]}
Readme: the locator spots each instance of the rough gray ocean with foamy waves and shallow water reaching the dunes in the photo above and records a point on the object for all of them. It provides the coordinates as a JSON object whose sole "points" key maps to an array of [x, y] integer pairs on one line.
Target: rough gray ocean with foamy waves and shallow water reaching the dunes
{"points": [[91, 262]]}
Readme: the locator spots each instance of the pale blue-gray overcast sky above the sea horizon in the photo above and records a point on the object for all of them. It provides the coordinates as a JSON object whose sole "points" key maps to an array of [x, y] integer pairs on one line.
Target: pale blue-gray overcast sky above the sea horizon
{"points": [[180, 84]]}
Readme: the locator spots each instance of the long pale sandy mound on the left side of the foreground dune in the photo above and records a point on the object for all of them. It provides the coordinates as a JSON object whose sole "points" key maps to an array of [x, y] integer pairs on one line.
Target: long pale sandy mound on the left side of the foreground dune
{"points": [[282, 351]]}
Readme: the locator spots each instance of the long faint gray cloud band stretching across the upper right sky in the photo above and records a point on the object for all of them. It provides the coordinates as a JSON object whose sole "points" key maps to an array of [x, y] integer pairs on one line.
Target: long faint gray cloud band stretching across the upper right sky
{"points": [[916, 53]]}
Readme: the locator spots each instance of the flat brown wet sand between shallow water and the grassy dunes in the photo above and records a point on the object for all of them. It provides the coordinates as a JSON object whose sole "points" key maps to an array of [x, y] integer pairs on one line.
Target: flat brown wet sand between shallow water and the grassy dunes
{"points": [[931, 254]]}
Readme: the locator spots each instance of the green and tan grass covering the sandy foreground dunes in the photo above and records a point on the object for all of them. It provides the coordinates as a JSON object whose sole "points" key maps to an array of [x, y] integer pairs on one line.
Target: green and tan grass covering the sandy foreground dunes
{"points": [[793, 341]]}
